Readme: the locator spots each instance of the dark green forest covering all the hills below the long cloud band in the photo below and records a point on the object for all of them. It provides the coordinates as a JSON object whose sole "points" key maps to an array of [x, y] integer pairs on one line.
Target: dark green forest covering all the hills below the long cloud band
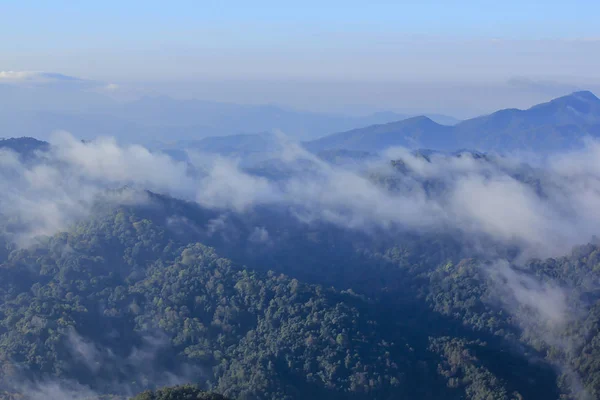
{"points": [[127, 302]]}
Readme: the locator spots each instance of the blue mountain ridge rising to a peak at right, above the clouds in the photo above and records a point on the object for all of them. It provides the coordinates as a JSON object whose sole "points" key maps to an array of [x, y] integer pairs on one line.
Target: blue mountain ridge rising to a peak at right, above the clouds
{"points": [[558, 124]]}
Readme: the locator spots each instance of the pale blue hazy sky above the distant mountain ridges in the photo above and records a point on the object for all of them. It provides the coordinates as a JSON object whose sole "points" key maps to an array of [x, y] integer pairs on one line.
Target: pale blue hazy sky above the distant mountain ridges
{"points": [[230, 50]]}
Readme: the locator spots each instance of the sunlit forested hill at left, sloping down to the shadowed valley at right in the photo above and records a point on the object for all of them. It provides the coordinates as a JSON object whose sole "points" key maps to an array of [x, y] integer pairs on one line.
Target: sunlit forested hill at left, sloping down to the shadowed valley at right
{"points": [[130, 300]]}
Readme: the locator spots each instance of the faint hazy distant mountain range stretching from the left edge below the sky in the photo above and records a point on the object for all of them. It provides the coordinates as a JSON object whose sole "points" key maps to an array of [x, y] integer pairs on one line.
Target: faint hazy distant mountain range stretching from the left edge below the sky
{"points": [[83, 108]]}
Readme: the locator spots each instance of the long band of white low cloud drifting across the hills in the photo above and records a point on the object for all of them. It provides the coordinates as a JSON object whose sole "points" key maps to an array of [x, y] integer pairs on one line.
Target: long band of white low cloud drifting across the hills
{"points": [[544, 207]]}
